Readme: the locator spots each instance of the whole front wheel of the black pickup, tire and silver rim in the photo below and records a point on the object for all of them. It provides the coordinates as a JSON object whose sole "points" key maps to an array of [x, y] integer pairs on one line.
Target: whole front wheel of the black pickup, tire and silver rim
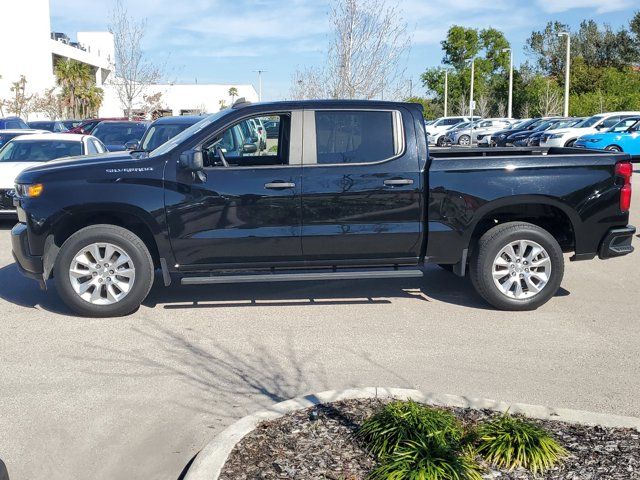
{"points": [[103, 271]]}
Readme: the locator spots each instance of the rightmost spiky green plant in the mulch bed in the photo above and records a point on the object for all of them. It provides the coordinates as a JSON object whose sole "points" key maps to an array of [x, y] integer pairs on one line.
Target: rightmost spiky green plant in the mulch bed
{"points": [[510, 442]]}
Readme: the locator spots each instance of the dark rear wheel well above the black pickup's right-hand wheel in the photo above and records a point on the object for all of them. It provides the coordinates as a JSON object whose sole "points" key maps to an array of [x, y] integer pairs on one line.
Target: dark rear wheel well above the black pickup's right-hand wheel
{"points": [[551, 218]]}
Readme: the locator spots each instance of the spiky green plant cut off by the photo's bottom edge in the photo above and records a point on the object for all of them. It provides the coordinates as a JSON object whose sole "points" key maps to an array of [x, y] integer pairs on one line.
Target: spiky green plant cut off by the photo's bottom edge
{"points": [[423, 460]]}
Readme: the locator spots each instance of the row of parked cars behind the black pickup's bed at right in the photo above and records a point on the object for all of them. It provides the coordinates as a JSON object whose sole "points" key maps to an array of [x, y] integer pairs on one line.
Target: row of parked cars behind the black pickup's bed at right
{"points": [[613, 131]]}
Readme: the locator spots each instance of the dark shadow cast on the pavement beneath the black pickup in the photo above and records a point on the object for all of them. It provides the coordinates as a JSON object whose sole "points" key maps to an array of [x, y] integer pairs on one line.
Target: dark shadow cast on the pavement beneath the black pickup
{"points": [[437, 285]]}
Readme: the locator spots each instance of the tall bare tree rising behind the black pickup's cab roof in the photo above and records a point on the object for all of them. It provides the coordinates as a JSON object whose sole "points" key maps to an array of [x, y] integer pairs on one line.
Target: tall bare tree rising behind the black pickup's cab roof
{"points": [[365, 57]]}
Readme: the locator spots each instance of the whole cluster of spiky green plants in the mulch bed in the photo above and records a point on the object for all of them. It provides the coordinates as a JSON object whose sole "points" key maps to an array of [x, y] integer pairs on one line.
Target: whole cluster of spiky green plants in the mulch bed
{"points": [[413, 441]]}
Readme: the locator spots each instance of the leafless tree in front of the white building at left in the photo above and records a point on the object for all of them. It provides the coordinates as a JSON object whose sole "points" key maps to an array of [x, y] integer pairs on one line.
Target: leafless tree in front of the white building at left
{"points": [[133, 73]]}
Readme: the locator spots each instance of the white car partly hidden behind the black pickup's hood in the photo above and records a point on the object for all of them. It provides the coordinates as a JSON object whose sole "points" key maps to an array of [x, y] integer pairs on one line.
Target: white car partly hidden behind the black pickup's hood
{"points": [[28, 150]]}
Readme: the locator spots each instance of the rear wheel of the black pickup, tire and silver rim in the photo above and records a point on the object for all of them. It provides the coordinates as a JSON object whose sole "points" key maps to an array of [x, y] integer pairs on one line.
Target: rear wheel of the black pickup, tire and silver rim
{"points": [[517, 266]]}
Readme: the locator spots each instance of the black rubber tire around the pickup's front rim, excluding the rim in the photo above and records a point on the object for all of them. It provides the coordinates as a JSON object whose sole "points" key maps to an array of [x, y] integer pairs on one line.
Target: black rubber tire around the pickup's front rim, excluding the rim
{"points": [[122, 238]]}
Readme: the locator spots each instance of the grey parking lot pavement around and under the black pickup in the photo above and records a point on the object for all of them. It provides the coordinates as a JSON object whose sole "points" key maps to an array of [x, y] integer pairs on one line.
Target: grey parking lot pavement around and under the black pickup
{"points": [[137, 397]]}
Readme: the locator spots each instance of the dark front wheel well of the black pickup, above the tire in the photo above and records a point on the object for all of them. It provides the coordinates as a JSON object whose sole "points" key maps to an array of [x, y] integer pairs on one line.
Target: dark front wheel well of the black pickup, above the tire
{"points": [[121, 219]]}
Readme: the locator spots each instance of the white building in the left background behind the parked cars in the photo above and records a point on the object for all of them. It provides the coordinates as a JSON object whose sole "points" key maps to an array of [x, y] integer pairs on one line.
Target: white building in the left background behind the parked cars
{"points": [[32, 49]]}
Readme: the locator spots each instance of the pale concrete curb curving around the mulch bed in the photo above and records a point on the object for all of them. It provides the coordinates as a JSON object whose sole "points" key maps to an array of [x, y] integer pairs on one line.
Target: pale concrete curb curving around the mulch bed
{"points": [[209, 462]]}
